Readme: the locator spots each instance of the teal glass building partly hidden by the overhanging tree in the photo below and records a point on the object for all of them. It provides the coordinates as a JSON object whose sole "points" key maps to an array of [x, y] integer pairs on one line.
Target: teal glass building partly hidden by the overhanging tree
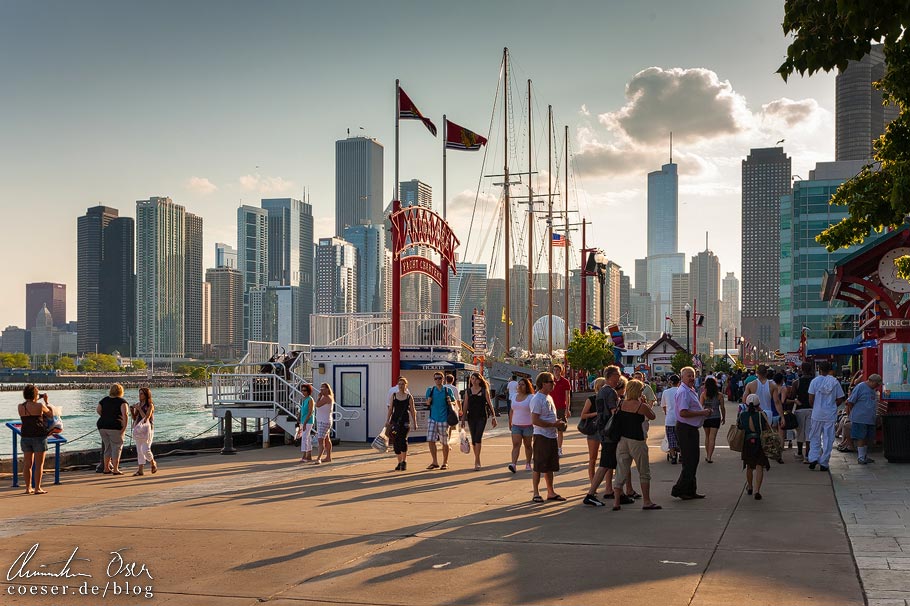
{"points": [[803, 262]]}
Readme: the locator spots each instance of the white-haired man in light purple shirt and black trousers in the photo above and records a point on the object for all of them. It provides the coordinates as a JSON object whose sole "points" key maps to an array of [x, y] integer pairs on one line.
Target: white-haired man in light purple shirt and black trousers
{"points": [[689, 418]]}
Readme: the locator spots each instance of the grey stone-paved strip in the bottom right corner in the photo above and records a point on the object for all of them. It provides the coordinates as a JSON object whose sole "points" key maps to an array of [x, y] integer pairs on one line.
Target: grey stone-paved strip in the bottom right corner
{"points": [[874, 501]]}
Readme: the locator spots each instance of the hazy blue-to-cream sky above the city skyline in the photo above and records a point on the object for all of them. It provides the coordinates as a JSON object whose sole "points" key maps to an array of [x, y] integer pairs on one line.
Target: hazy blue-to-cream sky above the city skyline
{"points": [[215, 104]]}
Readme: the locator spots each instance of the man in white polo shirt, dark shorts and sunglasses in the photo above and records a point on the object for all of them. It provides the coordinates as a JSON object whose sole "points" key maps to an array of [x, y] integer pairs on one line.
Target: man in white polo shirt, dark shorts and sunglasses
{"points": [[546, 426]]}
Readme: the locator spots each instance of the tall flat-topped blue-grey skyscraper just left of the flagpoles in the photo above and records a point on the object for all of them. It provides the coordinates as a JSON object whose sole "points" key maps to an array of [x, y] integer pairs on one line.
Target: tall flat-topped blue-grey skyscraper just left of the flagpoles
{"points": [[358, 182]]}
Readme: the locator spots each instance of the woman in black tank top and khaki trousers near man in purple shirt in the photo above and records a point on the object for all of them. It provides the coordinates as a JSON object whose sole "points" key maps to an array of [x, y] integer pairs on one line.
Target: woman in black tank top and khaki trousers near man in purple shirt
{"points": [[628, 425]]}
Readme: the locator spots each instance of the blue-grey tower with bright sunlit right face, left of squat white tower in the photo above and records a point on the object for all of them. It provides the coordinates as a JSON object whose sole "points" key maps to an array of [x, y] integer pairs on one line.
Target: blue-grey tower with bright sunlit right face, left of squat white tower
{"points": [[290, 254]]}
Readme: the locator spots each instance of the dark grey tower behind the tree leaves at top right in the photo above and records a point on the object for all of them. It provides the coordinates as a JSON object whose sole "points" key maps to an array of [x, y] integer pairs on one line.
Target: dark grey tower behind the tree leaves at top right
{"points": [[860, 116]]}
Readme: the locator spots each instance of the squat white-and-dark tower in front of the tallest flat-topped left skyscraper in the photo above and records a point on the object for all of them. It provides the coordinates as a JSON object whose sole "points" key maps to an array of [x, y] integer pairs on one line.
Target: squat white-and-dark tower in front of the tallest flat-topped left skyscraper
{"points": [[336, 277]]}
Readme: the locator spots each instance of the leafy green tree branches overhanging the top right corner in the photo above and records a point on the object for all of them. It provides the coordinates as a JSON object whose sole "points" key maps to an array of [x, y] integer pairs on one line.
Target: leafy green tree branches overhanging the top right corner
{"points": [[826, 35]]}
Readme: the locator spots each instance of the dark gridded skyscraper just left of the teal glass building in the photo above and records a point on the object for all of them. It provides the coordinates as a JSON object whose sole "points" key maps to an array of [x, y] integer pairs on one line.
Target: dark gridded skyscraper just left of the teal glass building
{"points": [[766, 177]]}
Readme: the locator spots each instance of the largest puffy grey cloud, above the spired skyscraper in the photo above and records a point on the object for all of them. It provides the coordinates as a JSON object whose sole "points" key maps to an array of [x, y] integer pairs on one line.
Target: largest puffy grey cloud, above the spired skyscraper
{"points": [[694, 104]]}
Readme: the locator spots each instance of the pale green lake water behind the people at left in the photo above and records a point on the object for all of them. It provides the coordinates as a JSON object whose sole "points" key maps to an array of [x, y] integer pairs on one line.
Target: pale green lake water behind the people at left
{"points": [[180, 412]]}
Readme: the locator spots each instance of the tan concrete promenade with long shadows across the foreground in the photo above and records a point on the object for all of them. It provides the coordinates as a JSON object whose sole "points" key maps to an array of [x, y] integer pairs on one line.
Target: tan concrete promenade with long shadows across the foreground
{"points": [[259, 527]]}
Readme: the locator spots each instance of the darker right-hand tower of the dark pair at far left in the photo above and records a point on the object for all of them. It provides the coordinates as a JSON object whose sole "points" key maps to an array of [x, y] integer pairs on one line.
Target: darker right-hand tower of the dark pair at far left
{"points": [[118, 283]]}
